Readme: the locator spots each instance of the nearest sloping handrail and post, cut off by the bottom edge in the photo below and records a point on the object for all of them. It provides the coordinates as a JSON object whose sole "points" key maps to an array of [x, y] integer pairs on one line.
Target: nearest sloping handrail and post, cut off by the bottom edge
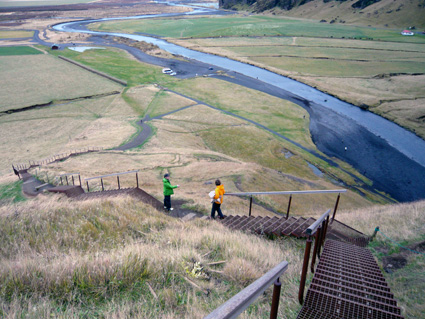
{"points": [[238, 303]]}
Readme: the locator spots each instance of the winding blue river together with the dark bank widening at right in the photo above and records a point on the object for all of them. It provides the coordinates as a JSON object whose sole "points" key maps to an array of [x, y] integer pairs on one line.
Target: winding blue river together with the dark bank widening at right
{"points": [[392, 157]]}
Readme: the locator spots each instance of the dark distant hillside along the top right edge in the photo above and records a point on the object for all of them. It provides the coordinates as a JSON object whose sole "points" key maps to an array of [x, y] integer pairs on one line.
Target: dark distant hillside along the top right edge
{"points": [[385, 13]]}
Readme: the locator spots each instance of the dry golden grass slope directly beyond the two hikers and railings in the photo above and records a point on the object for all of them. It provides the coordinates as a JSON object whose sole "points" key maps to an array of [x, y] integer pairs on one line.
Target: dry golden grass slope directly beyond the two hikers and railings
{"points": [[197, 152]]}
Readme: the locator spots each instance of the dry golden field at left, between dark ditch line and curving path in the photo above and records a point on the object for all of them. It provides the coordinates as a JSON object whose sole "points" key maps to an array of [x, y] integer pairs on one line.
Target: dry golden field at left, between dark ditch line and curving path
{"points": [[102, 122]]}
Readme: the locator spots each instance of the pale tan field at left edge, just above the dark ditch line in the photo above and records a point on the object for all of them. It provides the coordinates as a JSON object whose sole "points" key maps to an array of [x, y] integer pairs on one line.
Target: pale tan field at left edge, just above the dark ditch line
{"points": [[40, 79]]}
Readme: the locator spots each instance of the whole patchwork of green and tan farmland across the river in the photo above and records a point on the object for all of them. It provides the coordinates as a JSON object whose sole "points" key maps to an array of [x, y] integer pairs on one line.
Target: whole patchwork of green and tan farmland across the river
{"points": [[378, 69]]}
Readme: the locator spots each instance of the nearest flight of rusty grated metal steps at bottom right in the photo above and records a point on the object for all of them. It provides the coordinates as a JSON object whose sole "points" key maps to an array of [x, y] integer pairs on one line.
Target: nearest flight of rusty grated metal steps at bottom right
{"points": [[346, 284]]}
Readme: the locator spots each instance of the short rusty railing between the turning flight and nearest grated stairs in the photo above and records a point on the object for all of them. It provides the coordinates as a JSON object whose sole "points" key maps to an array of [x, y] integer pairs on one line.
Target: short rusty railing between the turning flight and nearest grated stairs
{"points": [[318, 231]]}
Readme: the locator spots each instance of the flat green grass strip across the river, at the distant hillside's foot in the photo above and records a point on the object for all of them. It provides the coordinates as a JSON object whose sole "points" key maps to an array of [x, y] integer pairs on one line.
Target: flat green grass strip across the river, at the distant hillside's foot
{"points": [[252, 26]]}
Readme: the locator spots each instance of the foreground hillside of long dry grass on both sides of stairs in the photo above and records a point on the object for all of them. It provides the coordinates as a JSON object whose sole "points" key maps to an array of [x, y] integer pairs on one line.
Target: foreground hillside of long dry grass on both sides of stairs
{"points": [[119, 259]]}
